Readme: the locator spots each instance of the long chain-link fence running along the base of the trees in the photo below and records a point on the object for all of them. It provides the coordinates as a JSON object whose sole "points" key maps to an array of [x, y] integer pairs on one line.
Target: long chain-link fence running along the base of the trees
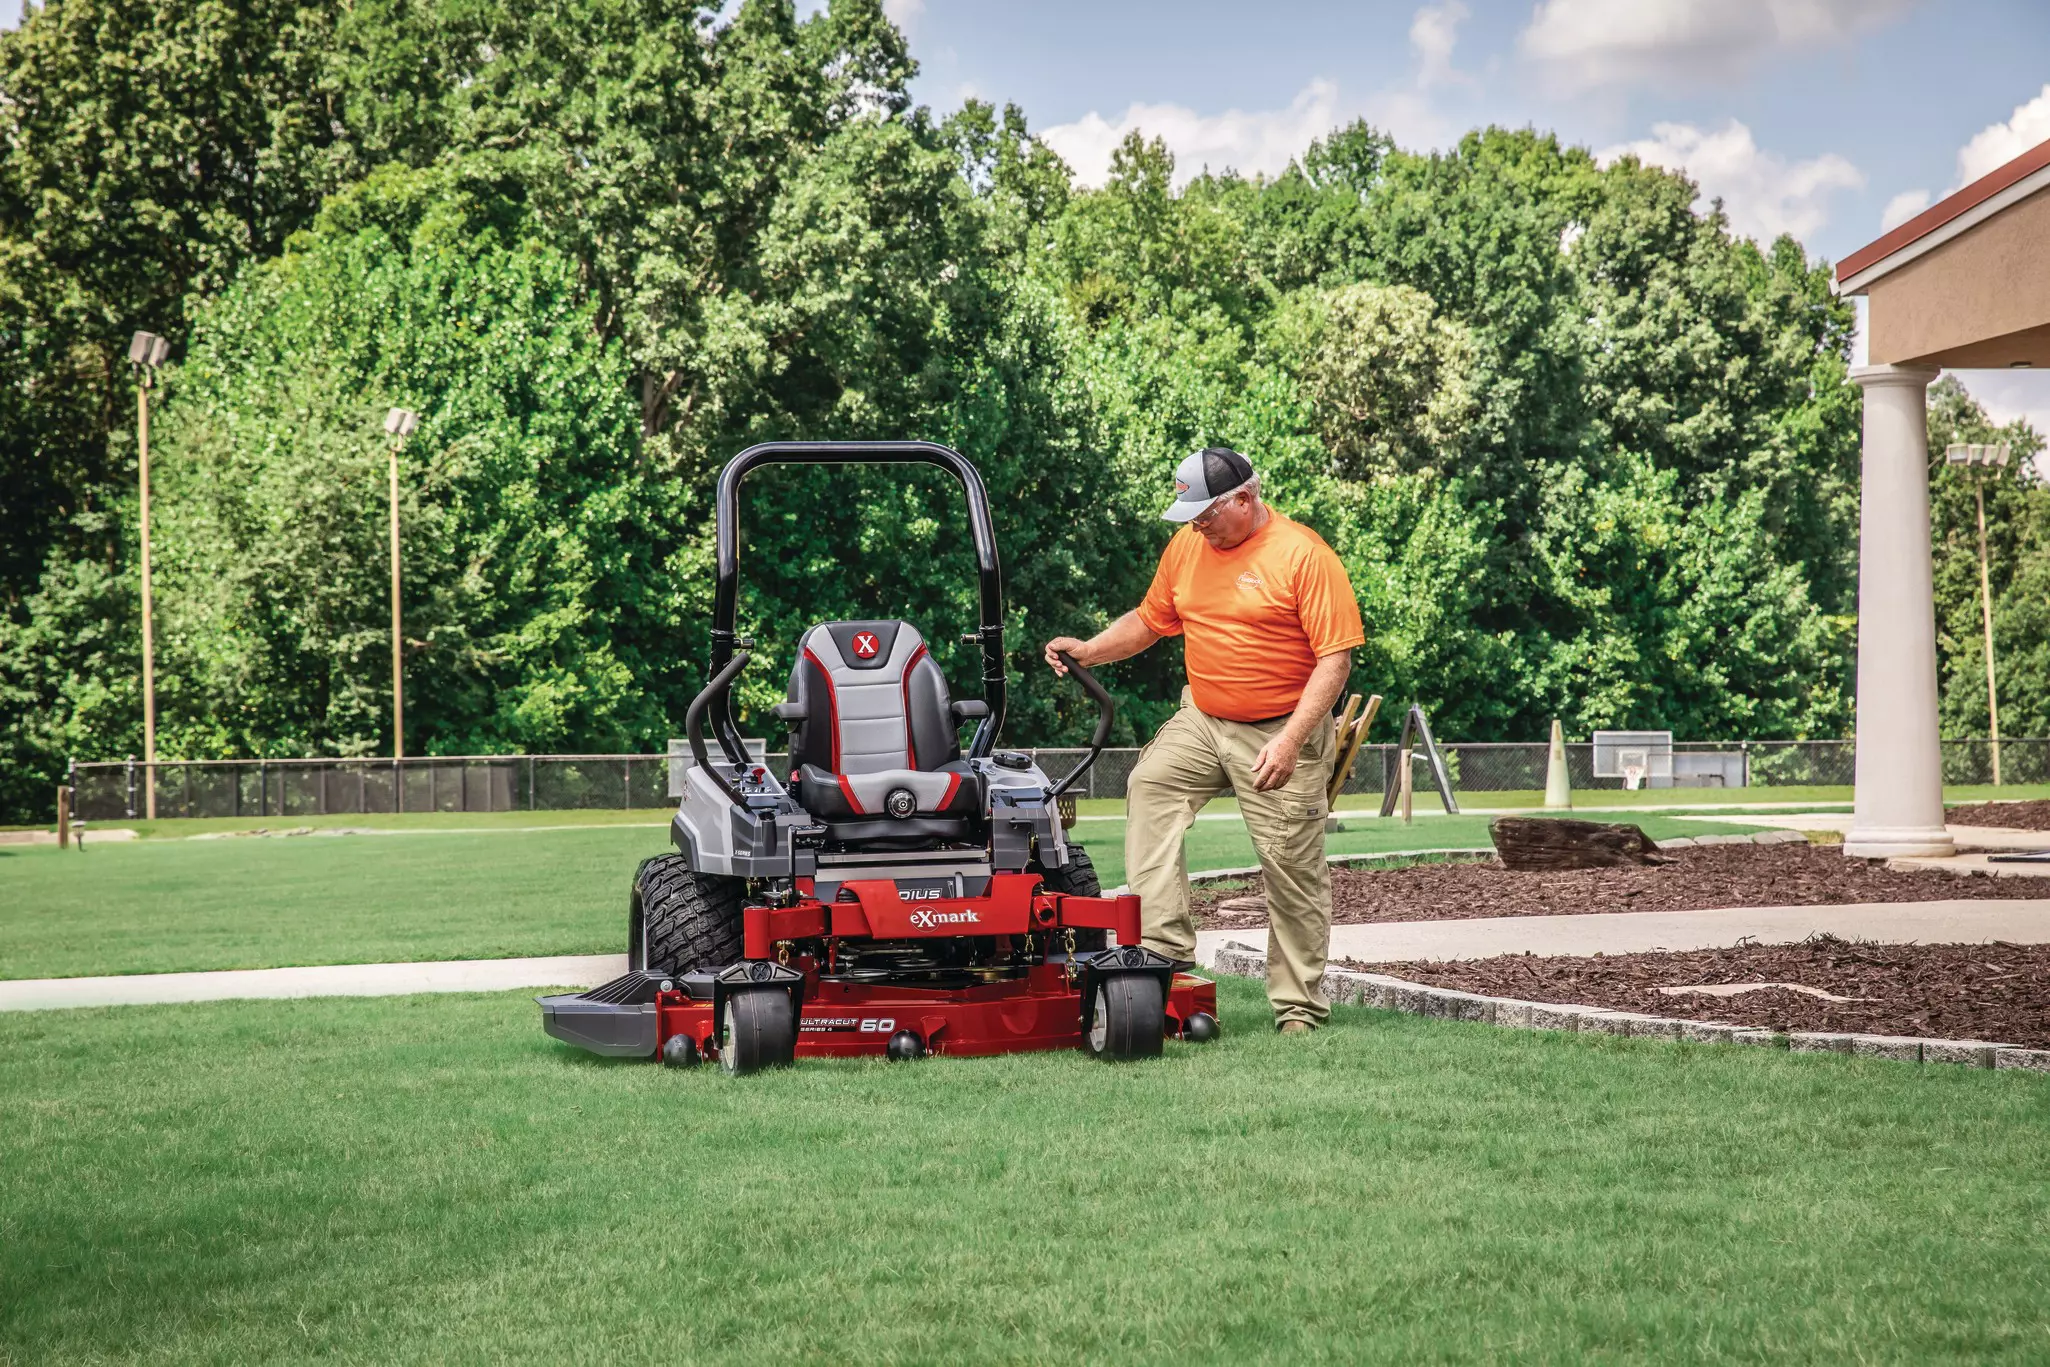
{"points": [[643, 782]]}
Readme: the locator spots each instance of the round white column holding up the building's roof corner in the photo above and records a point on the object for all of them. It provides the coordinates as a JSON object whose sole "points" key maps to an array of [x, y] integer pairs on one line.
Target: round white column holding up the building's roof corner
{"points": [[1899, 761]]}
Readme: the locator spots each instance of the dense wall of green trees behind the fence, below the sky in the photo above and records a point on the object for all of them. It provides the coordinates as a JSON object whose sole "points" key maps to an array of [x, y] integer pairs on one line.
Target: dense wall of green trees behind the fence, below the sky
{"points": [[1584, 452]]}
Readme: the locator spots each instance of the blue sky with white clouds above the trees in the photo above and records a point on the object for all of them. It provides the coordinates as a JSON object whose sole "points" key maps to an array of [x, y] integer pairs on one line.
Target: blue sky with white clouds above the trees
{"points": [[1830, 120]]}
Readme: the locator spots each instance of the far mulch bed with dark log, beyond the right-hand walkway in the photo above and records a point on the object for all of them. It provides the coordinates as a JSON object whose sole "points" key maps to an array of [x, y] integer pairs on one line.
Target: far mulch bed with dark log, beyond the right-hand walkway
{"points": [[1700, 878]]}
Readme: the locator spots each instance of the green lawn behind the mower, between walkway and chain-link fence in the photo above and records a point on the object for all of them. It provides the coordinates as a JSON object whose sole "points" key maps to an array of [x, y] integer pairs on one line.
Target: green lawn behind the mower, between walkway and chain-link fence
{"points": [[159, 907]]}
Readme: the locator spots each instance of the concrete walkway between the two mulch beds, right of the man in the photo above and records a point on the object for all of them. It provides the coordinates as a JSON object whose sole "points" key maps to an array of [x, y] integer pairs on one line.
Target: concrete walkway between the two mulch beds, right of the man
{"points": [[1893, 923]]}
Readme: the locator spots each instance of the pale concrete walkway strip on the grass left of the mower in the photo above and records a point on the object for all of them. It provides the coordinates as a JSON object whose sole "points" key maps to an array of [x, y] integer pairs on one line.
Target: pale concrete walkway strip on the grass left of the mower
{"points": [[333, 981]]}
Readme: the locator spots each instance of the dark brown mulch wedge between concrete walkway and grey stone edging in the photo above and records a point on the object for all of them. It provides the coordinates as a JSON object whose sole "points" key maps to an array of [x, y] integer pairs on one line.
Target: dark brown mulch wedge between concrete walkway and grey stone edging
{"points": [[1996, 993]]}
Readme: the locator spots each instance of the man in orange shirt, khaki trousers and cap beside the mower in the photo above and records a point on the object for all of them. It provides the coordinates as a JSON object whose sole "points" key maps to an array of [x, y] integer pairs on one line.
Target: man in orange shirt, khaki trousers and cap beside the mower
{"points": [[1270, 626]]}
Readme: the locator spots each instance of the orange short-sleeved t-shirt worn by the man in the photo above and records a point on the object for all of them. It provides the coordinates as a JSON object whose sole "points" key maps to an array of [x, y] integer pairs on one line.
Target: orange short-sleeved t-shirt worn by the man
{"points": [[1256, 618]]}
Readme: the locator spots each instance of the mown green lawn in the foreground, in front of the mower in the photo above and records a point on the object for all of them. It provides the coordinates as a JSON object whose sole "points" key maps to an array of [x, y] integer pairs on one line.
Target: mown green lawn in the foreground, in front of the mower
{"points": [[432, 1179]]}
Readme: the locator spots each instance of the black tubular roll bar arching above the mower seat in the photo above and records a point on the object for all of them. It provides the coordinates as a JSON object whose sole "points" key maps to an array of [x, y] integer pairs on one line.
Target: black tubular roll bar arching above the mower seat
{"points": [[727, 589]]}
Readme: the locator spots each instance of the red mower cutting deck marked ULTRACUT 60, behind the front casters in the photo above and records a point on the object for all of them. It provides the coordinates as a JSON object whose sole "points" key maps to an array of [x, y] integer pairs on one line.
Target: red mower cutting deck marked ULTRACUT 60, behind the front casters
{"points": [[1040, 1011]]}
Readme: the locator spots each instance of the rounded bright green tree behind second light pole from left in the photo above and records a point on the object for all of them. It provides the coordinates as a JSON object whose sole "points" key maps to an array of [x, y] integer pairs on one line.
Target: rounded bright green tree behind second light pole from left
{"points": [[526, 542]]}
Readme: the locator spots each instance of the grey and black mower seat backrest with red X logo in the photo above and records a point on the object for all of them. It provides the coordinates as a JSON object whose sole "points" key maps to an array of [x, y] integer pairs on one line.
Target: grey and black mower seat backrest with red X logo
{"points": [[872, 698]]}
